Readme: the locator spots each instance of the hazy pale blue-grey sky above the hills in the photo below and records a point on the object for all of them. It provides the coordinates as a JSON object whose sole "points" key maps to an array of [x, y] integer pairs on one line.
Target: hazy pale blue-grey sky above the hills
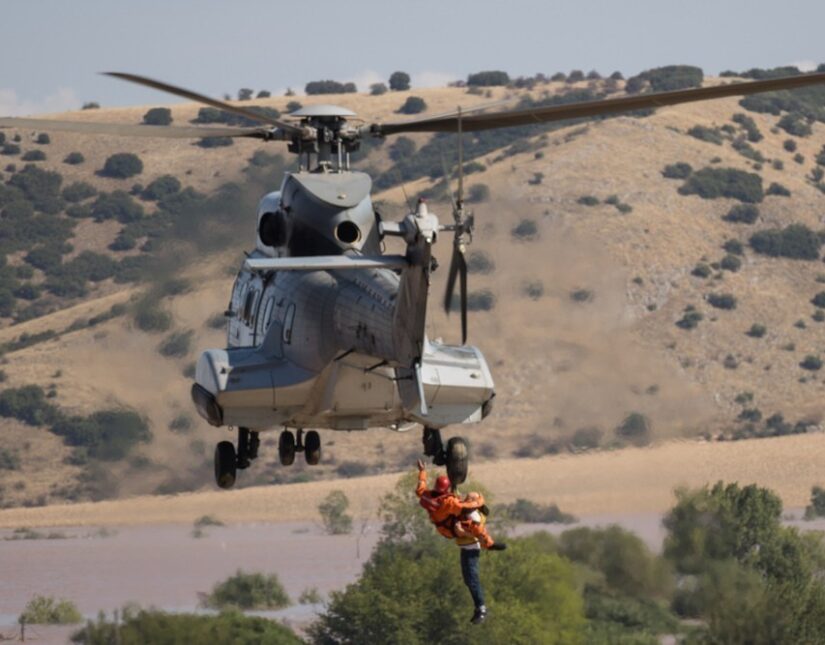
{"points": [[51, 50]]}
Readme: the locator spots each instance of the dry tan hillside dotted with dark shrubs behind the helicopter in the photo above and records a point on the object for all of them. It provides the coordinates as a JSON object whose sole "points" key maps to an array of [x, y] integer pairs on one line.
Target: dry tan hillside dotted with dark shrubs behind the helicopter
{"points": [[581, 327]]}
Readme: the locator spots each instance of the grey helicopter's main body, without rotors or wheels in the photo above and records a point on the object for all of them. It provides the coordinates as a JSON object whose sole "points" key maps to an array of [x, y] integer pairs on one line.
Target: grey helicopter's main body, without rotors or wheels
{"points": [[321, 348]]}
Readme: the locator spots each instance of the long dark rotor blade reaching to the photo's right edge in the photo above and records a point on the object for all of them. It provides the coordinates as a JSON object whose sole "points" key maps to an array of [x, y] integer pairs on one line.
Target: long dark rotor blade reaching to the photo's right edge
{"points": [[511, 118]]}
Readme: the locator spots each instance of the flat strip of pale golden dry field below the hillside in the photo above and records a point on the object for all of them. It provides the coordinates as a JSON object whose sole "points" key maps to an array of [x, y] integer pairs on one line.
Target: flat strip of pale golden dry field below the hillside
{"points": [[637, 480]]}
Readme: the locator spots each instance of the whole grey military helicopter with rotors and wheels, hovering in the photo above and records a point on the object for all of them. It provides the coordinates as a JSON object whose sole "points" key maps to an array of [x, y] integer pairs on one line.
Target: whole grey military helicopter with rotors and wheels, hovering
{"points": [[325, 330]]}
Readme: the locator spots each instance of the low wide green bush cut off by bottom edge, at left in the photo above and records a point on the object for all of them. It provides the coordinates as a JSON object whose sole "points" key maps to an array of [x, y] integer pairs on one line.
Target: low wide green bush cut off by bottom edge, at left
{"points": [[154, 626]]}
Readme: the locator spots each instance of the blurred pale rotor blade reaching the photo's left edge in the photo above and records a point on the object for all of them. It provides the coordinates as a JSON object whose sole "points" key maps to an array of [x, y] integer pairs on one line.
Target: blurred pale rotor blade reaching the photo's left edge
{"points": [[131, 130]]}
